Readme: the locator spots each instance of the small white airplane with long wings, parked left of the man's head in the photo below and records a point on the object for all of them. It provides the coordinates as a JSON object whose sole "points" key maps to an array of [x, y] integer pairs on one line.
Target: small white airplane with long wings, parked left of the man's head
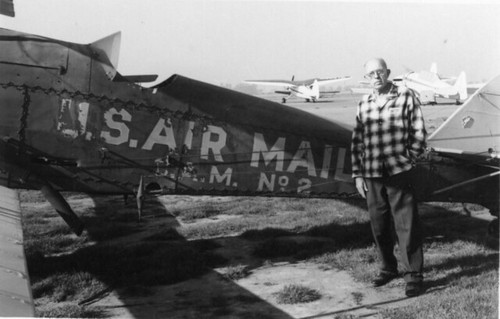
{"points": [[307, 89]]}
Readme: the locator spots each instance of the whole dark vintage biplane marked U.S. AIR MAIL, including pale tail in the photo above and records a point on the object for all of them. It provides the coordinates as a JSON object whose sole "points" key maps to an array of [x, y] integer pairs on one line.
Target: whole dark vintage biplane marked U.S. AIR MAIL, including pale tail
{"points": [[71, 122]]}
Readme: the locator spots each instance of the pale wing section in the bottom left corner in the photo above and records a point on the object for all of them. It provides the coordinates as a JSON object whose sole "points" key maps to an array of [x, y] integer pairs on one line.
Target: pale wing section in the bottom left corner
{"points": [[15, 292]]}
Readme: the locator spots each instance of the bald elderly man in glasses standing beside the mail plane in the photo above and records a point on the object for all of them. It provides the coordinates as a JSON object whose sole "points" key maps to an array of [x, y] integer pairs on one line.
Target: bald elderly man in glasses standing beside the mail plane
{"points": [[388, 137]]}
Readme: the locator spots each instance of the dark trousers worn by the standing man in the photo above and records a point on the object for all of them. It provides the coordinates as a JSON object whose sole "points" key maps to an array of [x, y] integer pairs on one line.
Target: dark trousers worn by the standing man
{"points": [[392, 205]]}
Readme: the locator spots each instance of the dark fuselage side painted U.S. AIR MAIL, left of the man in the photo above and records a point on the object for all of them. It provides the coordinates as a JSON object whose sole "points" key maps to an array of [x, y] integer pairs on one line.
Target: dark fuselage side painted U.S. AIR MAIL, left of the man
{"points": [[67, 123]]}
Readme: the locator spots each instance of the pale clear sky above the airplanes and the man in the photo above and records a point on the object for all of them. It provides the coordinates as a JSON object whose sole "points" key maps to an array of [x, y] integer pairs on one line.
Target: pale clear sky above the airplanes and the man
{"points": [[232, 41]]}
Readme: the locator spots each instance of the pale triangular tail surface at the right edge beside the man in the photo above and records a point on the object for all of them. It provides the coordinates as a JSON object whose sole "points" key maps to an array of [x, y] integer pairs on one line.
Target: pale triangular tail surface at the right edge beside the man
{"points": [[474, 128]]}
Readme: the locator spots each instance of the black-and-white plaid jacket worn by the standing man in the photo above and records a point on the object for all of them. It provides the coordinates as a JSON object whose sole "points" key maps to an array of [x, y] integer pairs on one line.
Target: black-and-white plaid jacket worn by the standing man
{"points": [[387, 138]]}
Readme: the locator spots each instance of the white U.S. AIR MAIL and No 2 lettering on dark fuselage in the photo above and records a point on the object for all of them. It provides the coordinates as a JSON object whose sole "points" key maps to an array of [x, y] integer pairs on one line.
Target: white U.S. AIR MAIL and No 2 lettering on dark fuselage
{"points": [[270, 162]]}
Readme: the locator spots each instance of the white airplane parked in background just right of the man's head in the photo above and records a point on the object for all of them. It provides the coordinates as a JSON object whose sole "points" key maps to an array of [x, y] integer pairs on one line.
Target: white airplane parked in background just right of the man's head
{"points": [[429, 85]]}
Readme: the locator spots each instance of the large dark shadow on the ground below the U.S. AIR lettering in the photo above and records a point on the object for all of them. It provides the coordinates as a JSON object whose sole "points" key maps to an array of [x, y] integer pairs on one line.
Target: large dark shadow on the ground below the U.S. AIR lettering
{"points": [[132, 256]]}
